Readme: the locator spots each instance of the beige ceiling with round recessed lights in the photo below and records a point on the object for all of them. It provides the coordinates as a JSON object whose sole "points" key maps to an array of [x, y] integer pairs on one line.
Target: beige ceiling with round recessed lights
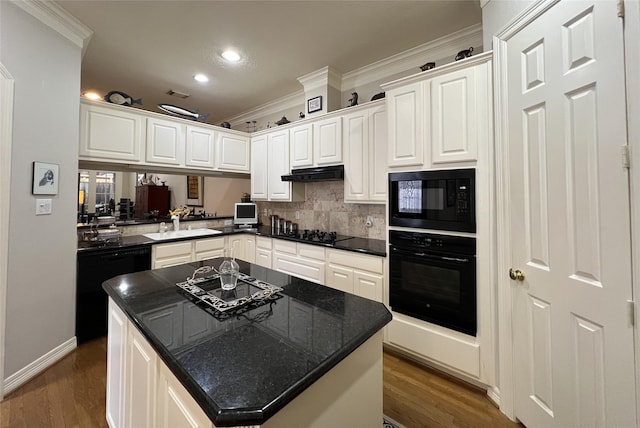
{"points": [[146, 48]]}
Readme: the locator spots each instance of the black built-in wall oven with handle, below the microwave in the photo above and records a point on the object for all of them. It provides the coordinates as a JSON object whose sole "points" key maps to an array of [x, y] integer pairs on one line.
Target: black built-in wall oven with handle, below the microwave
{"points": [[433, 278]]}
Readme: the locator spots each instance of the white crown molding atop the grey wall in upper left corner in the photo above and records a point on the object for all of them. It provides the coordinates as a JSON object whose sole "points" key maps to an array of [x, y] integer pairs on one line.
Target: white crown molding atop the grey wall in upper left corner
{"points": [[58, 19]]}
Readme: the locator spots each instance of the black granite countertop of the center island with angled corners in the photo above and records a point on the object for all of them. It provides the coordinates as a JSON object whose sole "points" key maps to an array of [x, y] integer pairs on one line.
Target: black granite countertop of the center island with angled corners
{"points": [[243, 369]]}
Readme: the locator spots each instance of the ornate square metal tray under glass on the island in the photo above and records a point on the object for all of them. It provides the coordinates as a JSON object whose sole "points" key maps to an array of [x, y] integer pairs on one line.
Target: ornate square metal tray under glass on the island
{"points": [[249, 292]]}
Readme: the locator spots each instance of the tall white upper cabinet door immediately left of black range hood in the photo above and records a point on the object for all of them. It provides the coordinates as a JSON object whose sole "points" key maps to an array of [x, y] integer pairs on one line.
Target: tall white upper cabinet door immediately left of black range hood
{"points": [[278, 160]]}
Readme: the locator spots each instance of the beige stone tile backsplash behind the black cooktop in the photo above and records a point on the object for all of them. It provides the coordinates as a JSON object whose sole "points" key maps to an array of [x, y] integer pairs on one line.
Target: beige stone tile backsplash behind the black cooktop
{"points": [[325, 209]]}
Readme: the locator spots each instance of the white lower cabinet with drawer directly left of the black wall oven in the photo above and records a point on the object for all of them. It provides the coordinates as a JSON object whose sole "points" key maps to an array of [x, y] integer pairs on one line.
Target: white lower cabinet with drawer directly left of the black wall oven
{"points": [[359, 274]]}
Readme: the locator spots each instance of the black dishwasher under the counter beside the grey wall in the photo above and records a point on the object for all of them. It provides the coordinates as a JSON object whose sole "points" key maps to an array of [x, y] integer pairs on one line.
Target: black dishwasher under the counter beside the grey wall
{"points": [[95, 266]]}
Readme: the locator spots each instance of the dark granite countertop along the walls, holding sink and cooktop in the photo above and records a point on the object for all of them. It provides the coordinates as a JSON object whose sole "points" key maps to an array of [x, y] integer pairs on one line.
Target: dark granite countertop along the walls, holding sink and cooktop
{"points": [[376, 247]]}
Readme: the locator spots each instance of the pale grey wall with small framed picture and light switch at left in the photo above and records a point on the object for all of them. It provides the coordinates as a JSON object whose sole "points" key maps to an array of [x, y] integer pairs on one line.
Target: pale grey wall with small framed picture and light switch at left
{"points": [[41, 275]]}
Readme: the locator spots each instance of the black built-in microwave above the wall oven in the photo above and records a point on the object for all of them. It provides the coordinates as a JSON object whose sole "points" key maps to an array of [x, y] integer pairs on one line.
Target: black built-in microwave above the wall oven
{"points": [[442, 199]]}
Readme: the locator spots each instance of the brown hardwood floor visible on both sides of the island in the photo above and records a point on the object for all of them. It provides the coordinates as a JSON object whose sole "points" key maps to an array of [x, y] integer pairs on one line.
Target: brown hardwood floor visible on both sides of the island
{"points": [[72, 393]]}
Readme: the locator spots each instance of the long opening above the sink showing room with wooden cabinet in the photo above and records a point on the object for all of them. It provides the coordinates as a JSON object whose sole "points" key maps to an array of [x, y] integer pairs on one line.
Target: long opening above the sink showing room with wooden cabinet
{"points": [[134, 196]]}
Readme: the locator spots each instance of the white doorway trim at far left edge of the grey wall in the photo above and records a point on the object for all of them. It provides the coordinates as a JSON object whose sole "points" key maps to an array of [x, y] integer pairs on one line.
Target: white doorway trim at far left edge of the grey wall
{"points": [[6, 133]]}
